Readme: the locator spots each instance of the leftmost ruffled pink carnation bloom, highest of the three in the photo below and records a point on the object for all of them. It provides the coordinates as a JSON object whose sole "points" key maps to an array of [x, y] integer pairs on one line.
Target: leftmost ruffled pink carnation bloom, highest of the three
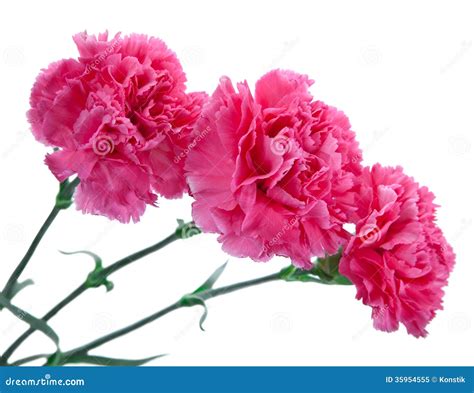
{"points": [[119, 116]]}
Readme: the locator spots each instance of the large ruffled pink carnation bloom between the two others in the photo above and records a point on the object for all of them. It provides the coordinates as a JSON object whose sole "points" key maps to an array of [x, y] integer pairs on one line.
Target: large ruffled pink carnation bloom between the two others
{"points": [[273, 174]]}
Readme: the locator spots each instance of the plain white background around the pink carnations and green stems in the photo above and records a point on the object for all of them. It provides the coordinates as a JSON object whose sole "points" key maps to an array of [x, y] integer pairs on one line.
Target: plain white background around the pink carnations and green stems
{"points": [[403, 73]]}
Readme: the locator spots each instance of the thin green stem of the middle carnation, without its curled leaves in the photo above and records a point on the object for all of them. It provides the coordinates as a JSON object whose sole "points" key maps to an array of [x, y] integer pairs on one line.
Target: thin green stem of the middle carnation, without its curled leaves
{"points": [[83, 287]]}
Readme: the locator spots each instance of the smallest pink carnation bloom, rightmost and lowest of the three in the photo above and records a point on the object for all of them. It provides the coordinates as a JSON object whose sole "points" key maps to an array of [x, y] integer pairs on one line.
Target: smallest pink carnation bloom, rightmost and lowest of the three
{"points": [[398, 259]]}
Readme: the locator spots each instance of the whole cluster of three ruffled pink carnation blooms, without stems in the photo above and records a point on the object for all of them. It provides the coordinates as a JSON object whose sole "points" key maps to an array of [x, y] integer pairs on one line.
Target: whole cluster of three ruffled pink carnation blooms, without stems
{"points": [[274, 172]]}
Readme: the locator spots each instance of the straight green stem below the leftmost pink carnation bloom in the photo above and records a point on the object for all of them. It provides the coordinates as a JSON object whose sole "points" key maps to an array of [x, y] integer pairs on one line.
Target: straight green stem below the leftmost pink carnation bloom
{"points": [[68, 190]]}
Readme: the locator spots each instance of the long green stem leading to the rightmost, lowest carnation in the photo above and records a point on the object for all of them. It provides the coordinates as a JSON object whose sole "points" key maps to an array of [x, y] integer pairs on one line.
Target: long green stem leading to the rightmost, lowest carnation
{"points": [[208, 294]]}
